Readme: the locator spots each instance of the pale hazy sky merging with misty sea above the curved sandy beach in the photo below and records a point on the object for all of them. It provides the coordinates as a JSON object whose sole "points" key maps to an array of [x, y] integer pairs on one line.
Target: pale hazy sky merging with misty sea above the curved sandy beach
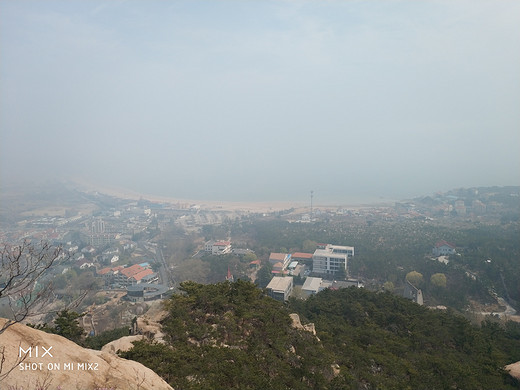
{"points": [[262, 100]]}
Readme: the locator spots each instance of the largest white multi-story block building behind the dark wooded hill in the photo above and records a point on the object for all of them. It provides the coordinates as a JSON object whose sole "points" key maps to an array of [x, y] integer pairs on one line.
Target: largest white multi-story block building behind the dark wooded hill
{"points": [[330, 259]]}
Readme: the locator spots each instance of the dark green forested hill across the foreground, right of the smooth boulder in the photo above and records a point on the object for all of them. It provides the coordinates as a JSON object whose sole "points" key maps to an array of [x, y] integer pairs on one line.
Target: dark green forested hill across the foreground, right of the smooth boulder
{"points": [[231, 336]]}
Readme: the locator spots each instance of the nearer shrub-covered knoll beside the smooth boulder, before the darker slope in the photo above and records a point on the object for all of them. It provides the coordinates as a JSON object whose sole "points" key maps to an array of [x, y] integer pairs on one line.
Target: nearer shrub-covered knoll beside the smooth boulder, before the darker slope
{"points": [[229, 335]]}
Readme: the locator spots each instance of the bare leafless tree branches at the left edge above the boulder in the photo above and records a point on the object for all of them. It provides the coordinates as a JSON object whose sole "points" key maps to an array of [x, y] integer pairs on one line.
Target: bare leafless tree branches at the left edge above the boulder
{"points": [[23, 281]]}
